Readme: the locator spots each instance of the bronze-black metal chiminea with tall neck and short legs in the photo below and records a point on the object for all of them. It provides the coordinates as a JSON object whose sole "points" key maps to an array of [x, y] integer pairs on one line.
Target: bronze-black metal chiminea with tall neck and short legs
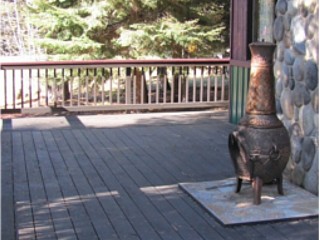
{"points": [[260, 145]]}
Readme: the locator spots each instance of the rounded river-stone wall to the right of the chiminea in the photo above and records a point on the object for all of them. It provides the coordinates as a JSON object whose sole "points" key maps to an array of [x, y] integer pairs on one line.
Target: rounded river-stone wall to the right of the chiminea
{"points": [[297, 86]]}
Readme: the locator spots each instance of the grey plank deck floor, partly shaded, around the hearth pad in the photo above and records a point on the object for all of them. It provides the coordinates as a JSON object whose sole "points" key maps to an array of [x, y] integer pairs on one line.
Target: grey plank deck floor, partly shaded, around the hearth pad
{"points": [[116, 176]]}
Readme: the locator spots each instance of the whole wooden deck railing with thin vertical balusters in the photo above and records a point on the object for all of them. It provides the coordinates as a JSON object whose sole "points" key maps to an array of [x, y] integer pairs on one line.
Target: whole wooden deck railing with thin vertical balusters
{"points": [[114, 84]]}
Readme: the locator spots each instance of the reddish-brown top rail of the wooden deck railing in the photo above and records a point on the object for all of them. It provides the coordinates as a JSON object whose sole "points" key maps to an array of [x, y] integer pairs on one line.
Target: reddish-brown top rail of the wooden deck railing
{"points": [[114, 63]]}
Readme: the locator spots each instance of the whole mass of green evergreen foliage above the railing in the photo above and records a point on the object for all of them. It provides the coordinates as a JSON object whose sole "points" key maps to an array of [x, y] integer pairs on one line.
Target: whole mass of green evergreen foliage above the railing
{"points": [[131, 28]]}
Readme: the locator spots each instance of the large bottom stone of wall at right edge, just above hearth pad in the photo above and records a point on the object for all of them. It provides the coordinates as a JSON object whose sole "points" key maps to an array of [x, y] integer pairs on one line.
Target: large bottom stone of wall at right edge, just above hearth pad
{"points": [[311, 180]]}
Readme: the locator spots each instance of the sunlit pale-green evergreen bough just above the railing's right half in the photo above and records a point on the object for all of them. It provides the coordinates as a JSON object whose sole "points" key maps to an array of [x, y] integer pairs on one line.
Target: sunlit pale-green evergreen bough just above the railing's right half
{"points": [[169, 38]]}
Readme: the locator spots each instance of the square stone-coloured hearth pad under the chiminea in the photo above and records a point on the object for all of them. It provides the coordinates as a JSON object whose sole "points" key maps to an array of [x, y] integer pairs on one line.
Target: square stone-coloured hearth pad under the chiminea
{"points": [[231, 208]]}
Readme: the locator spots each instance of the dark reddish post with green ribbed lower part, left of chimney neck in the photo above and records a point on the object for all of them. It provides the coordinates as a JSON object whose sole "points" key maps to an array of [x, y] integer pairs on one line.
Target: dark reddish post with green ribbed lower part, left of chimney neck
{"points": [[243, 32]]}
